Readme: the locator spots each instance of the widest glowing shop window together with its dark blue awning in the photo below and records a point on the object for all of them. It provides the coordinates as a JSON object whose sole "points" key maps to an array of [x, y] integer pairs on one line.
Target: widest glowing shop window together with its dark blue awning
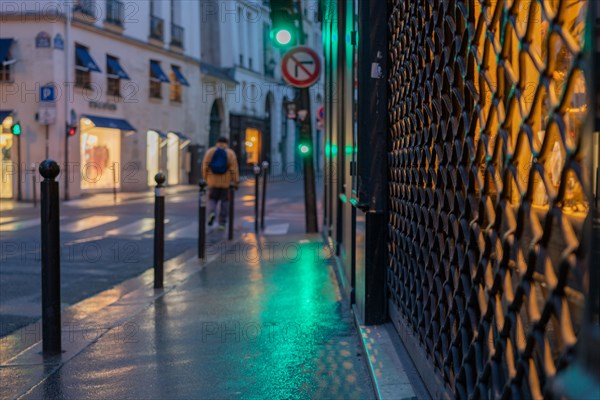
{"points": [[101, 148]]}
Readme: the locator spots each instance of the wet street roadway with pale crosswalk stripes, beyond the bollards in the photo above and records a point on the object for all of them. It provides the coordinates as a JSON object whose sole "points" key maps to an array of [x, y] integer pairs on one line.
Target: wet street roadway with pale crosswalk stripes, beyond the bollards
{"points": [[105, 243]]}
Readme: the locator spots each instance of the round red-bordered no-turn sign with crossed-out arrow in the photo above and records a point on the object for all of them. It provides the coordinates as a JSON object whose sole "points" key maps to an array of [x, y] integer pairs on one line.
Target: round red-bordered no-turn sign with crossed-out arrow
{"points": [[301, 67]]}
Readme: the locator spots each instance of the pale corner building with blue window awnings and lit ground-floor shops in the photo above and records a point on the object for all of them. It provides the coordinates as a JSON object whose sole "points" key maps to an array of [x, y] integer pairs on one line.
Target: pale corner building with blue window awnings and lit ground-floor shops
{"points": [[126, 74]]}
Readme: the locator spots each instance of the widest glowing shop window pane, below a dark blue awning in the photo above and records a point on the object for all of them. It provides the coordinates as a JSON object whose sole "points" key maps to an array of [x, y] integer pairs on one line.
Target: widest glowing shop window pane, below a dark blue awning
{"points": [[100, 157]]}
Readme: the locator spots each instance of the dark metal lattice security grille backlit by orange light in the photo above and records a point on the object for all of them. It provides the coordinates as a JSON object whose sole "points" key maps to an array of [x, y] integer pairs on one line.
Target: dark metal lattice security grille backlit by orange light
{"points": [[487, 203]]}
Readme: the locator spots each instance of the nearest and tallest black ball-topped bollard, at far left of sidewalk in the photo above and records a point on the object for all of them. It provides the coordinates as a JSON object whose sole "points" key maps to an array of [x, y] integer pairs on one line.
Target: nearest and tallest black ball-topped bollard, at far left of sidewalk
{"points": [[51, 321]]}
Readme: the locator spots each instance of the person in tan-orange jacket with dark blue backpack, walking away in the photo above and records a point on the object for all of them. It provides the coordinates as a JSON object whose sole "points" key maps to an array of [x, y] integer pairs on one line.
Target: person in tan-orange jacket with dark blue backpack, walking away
{"points": [[219, 169]]}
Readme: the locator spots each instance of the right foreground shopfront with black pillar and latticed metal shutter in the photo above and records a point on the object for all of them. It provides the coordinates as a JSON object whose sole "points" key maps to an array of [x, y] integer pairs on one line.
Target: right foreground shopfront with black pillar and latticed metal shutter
{"points": [[462, 197]]}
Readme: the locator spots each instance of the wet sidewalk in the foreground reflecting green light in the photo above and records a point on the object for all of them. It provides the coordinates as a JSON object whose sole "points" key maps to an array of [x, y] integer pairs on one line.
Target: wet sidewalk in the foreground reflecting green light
{"points": [[260, 320]]}
